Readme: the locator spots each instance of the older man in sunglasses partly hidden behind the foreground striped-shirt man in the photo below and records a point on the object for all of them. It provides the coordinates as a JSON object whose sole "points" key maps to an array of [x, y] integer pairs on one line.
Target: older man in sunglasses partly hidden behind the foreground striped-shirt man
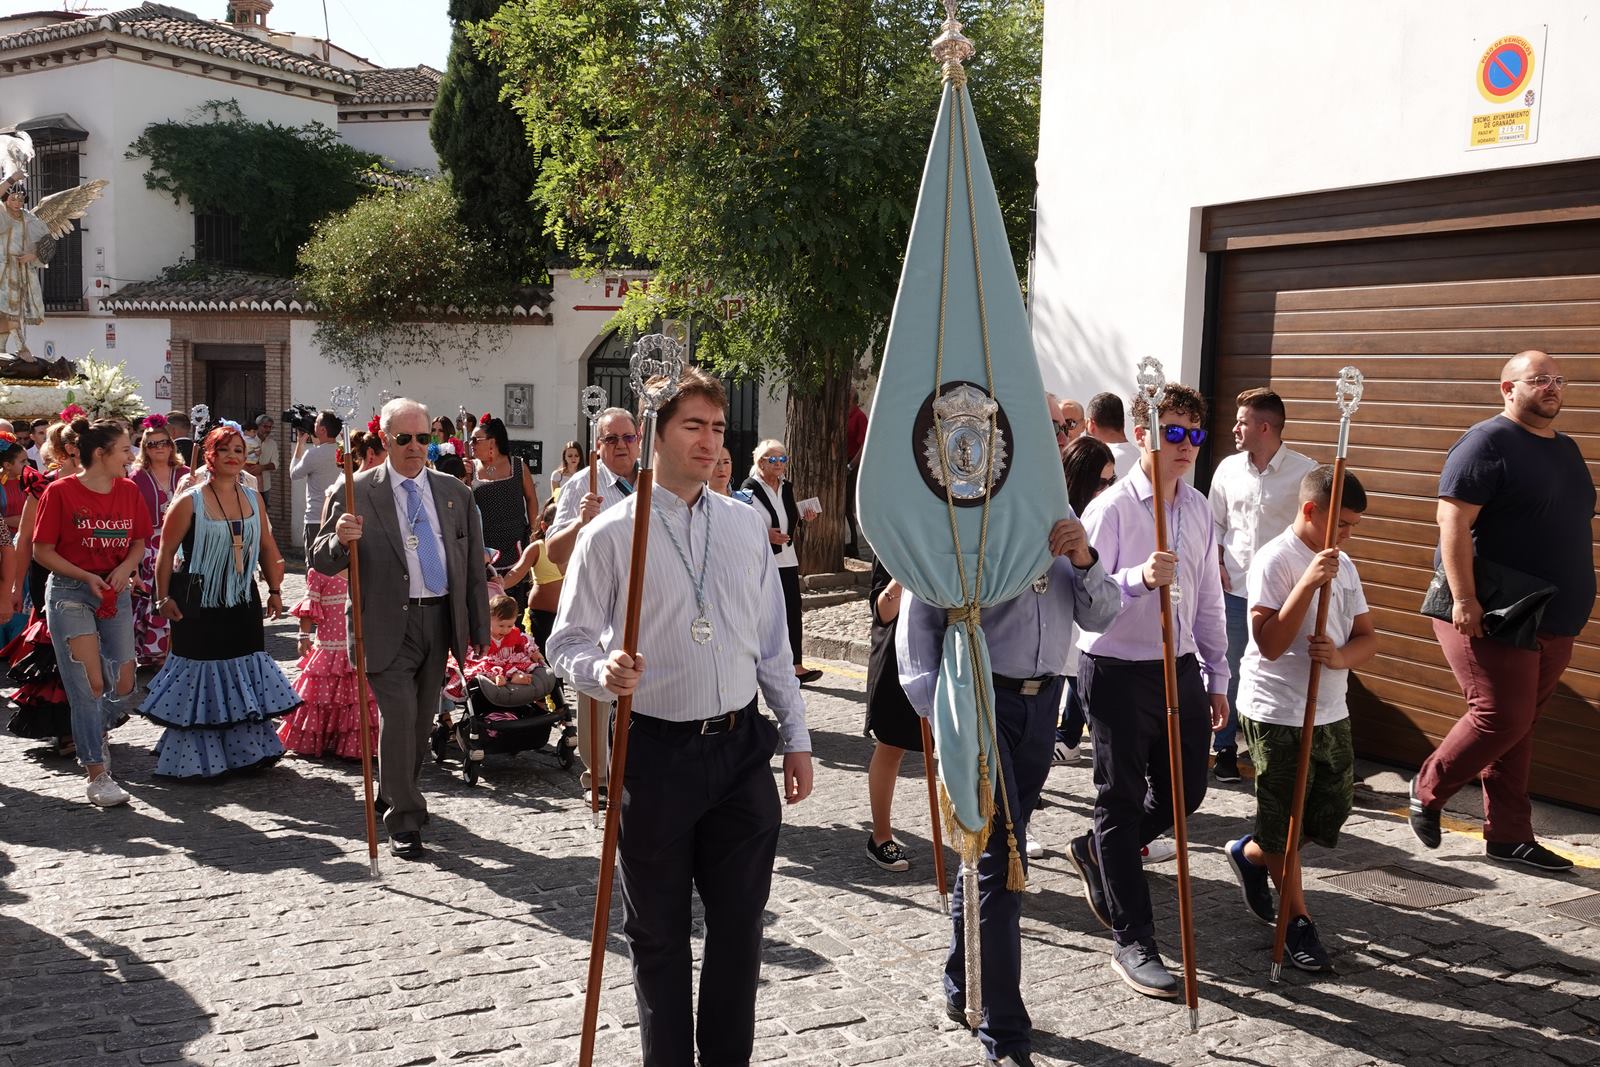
{"points": [[575, 510]]}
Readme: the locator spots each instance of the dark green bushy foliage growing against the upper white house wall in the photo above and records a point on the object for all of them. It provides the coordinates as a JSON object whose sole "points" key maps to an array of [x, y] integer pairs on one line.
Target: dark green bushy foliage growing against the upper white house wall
{"points": [[279, 182]]}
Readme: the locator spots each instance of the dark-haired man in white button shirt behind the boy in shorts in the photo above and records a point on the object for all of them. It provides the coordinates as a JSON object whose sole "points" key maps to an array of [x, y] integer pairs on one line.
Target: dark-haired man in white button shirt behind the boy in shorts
{"points": [[1254, 500]]}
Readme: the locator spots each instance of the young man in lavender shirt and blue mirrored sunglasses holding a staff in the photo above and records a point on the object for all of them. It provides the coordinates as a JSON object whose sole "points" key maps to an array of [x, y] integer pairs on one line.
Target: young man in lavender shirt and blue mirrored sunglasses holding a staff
{"points": [[1121, 679]]}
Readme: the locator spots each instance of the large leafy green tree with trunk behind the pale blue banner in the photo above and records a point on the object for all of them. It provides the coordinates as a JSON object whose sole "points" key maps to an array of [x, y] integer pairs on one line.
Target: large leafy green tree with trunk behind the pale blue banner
{"points": [[764, 150]]}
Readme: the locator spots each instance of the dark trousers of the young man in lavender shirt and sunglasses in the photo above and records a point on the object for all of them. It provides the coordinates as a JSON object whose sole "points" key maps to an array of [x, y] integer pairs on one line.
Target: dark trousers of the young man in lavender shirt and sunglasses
{"points": [[1126, 703]]}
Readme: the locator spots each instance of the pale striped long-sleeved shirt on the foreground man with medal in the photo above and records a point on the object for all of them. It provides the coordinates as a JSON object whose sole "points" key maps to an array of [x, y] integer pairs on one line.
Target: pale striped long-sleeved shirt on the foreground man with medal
{"points": [[682, 681]]}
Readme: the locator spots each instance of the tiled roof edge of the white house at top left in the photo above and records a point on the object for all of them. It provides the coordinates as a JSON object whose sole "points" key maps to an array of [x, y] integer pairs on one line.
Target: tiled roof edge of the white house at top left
{"points": [[162, 25]]}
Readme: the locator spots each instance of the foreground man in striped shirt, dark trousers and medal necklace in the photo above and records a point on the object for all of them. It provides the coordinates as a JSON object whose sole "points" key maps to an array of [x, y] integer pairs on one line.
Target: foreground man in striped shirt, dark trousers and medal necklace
{"points": [[700, 809]]}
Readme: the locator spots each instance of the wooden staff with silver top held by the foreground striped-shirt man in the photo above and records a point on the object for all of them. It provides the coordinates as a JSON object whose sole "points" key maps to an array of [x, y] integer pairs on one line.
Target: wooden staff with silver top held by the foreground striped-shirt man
{"points": [[655, 367]]}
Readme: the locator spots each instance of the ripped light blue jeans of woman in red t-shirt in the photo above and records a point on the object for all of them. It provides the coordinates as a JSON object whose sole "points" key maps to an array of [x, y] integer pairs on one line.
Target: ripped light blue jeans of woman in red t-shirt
{"points": [[70, 613]]}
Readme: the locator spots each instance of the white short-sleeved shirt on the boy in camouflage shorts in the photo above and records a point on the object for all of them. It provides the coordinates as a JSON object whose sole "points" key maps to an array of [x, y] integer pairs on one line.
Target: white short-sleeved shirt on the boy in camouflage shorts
{"points": [[1274, 690]]}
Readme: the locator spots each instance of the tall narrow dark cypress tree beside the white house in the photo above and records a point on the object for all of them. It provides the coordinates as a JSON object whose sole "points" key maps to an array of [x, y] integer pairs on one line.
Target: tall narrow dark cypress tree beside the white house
{"points": [[481, 143]]}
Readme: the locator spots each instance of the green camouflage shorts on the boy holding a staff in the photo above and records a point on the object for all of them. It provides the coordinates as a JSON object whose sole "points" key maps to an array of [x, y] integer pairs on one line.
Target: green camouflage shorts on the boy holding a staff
{"points": [[1330, 793]]}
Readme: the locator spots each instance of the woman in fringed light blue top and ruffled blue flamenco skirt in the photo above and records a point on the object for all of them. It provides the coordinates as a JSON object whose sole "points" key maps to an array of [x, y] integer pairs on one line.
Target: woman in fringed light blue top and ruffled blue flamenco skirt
{"points": [[218, 692]]}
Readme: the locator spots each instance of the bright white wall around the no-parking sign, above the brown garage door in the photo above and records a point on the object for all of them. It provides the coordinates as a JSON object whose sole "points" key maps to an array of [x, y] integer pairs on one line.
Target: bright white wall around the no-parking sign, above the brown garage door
{"points": [[1146, 121]]}
